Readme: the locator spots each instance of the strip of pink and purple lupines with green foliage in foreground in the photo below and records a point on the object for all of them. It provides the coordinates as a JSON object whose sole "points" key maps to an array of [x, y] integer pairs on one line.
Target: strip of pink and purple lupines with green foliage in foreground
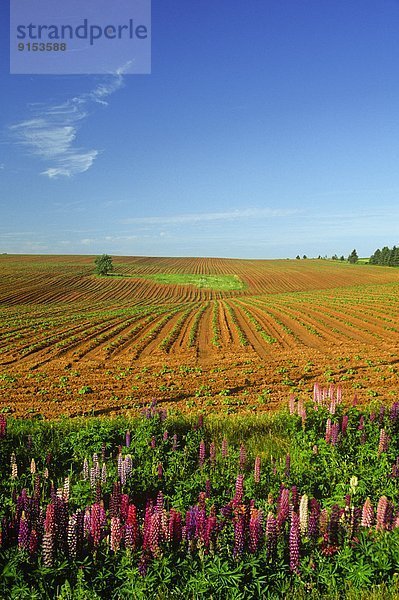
{"points": [[161, 507]]}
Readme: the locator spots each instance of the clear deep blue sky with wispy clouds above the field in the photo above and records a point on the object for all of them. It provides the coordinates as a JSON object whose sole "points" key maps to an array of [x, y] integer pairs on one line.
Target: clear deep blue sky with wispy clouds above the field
{"points": [[266, 129]]}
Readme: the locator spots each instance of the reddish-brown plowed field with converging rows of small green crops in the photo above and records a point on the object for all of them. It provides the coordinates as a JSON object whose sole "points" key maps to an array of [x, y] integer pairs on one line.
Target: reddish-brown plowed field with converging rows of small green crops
{"points": [[74, 343]]}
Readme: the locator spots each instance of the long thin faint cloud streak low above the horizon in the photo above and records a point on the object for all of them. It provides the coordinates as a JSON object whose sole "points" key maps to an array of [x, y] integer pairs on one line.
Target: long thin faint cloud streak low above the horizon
{"points": [[248, 213]]}
